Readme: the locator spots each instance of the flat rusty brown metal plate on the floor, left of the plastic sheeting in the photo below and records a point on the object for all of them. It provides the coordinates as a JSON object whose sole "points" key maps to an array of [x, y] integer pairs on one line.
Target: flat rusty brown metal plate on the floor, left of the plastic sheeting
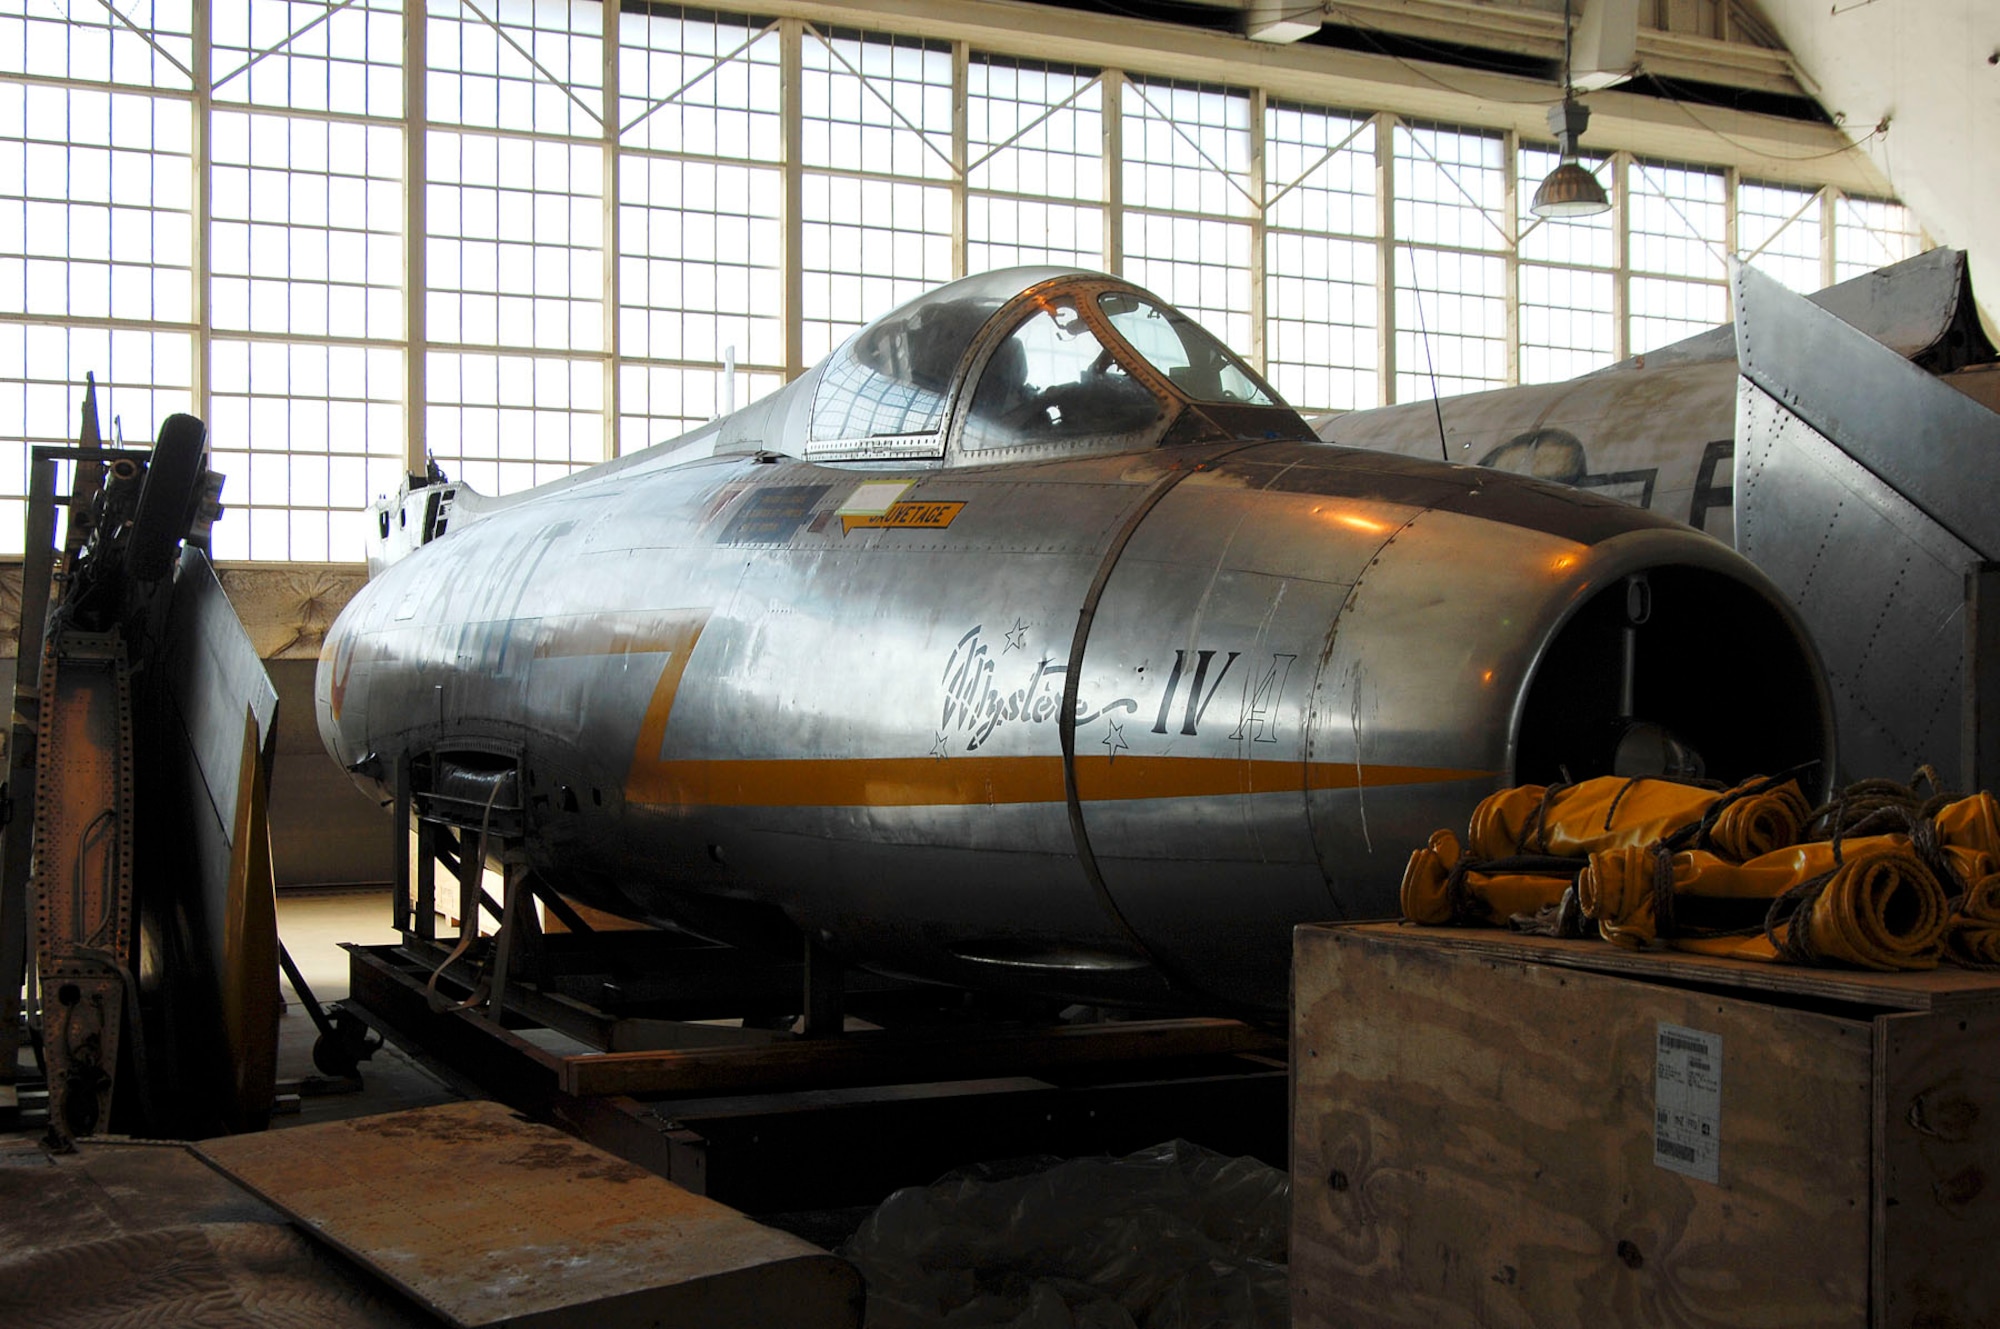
{"points": [[491, 1220]]}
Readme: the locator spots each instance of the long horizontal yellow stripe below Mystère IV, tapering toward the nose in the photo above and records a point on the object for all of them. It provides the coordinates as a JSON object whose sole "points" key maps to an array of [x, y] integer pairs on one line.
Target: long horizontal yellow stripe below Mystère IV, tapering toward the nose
{"points": [[969, 782]]}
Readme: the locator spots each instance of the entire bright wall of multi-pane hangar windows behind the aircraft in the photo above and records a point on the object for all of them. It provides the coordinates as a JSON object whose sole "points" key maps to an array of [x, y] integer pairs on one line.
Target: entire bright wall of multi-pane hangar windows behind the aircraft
{"points": [[575, 229]]}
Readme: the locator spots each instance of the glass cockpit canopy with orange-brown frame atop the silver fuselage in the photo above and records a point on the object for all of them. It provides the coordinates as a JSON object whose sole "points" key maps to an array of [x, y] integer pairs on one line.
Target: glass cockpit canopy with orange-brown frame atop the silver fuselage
{"points": [[1033, 363]]}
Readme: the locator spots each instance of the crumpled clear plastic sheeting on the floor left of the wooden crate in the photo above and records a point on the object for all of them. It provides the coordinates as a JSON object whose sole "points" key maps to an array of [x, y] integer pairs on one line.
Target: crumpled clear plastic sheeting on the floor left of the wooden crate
{"points": [[1167, 1238]]}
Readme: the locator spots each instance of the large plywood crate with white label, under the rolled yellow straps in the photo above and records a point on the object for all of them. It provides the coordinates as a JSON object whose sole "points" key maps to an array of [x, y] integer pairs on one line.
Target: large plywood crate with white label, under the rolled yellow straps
{"points": [[1475, 1138]]}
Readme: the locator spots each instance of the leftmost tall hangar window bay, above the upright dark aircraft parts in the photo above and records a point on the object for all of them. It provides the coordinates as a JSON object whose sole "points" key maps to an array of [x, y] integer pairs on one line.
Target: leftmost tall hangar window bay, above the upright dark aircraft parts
{"points": [[97, 263]]}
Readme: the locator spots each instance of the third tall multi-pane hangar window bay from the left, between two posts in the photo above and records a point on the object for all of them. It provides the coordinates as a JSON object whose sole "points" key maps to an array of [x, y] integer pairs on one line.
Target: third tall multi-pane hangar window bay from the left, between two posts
{"points": [[515, 241]]}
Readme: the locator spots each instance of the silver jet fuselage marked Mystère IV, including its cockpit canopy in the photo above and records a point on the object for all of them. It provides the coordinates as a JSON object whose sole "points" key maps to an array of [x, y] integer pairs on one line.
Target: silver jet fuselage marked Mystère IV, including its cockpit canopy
{"points": [[1097, 716]]}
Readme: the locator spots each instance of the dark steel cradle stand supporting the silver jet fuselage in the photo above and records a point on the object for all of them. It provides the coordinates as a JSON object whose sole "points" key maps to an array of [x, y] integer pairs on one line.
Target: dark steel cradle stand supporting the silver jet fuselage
{"points": [[771, 1086]]}
